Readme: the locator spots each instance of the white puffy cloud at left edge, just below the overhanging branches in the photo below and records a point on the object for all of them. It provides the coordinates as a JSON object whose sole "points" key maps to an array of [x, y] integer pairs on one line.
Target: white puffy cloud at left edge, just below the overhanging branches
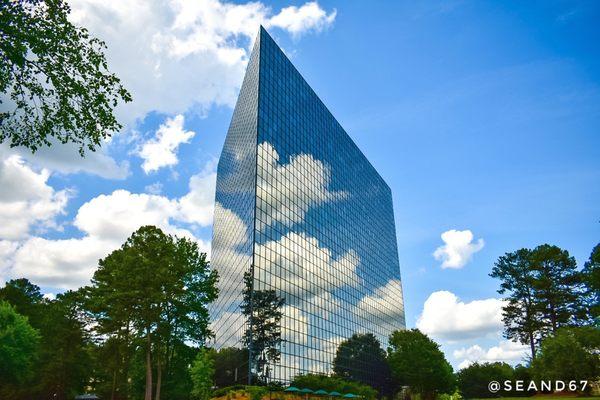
{"points": [[27, 199]]}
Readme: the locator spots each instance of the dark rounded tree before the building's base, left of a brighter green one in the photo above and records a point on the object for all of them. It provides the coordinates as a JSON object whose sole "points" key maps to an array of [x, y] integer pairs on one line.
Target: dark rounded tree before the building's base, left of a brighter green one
{"points": [[361, 358]]}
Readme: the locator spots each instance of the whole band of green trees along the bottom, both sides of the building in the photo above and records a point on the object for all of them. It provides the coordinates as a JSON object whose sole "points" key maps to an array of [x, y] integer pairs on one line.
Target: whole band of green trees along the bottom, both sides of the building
{"points": [[139, 331]]}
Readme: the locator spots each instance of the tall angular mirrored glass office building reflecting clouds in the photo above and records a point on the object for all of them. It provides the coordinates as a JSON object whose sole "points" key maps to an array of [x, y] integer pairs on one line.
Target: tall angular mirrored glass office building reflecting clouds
{"points": [[300, 209]]}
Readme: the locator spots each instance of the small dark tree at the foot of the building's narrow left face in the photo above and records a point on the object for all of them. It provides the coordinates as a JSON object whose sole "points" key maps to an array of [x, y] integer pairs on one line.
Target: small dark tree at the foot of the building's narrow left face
{"points": [[231, 366]]}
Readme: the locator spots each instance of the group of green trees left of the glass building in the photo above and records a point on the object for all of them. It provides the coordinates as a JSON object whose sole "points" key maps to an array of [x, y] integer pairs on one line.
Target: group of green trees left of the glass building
{"points": [[133, 333]]}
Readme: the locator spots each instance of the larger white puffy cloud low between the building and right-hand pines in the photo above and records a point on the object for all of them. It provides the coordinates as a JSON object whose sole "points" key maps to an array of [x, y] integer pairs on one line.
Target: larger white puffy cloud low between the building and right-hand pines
{"points": [[444, 316]]}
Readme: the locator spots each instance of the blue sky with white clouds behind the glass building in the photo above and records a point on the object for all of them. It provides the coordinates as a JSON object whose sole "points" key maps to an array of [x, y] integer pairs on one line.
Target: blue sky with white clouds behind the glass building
{"points": [[481, 116]]}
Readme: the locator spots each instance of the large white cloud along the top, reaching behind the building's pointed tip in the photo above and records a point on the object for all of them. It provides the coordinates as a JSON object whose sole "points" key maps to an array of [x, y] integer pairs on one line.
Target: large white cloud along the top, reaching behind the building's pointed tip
{"points": [[188, 53]]}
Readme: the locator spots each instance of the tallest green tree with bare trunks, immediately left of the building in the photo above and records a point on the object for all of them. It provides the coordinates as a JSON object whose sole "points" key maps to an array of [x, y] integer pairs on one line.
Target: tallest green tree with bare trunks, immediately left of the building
{"points": [[153, 290]]}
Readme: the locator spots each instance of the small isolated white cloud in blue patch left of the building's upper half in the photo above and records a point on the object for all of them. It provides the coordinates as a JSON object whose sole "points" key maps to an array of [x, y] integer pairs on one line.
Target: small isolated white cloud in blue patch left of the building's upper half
{"points": [[160, 151]]}
